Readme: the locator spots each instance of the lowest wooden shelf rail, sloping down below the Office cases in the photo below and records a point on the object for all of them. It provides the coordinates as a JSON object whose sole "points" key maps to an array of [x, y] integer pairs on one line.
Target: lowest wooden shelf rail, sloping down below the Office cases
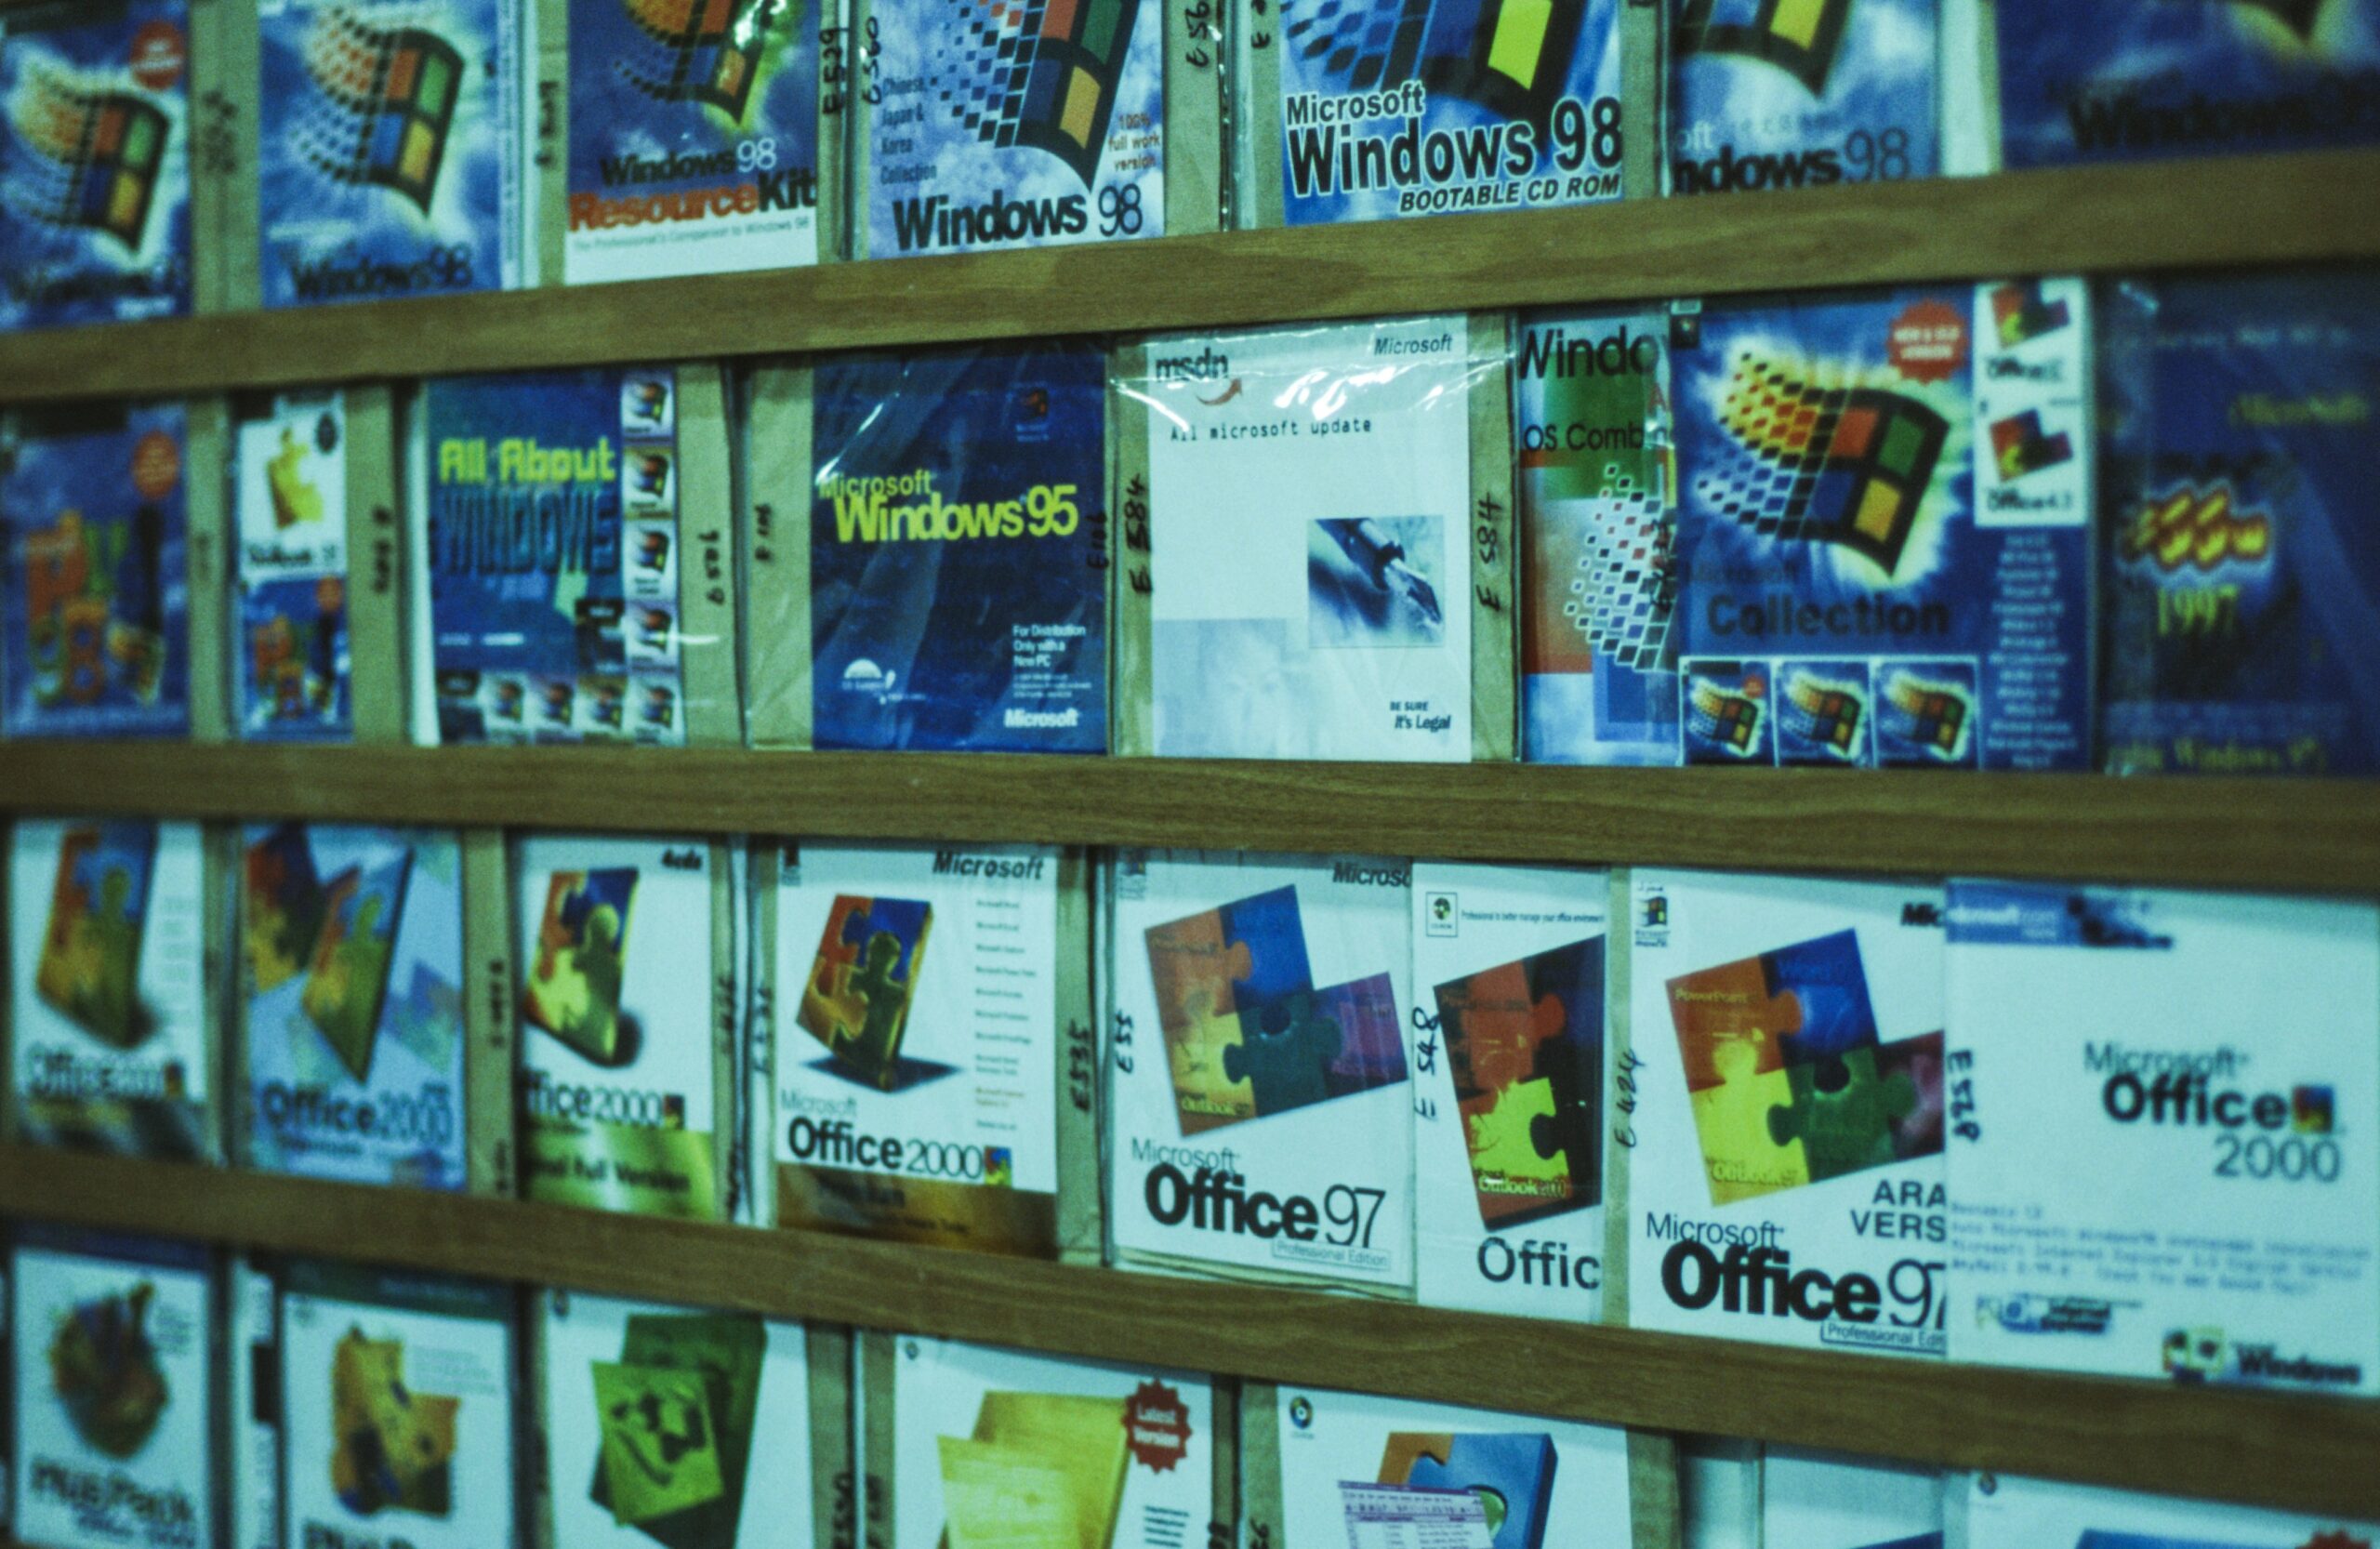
{"points": [[2303, 1453]]}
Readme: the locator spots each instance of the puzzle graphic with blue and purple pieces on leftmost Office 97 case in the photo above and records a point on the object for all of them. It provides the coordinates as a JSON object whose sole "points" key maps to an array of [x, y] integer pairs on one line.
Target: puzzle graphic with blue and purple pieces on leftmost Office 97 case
{"points": [[1246, 1029]]}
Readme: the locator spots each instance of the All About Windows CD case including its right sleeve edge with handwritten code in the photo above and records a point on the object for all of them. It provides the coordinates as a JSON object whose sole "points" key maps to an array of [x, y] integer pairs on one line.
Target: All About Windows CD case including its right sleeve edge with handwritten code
{"points": [[575, 575]]}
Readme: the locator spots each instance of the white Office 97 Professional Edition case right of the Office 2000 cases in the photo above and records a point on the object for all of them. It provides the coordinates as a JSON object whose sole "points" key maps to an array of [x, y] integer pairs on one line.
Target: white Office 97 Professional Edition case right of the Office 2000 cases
{"points": [[1260, 1091]]}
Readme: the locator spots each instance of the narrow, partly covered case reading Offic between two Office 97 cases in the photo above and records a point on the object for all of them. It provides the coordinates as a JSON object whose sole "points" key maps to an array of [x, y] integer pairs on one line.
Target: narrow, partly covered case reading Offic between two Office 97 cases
{"points": [[1510, 1089]]}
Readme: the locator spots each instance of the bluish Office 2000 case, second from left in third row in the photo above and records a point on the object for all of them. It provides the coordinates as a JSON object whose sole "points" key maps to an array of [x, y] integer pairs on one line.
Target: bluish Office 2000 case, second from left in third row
{"points": [[356, 1053]]}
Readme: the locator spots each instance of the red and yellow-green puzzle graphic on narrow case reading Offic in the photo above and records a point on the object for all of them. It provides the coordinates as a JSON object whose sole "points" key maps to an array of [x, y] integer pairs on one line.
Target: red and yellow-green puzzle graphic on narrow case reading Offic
{"points": [[1527, 1046]]}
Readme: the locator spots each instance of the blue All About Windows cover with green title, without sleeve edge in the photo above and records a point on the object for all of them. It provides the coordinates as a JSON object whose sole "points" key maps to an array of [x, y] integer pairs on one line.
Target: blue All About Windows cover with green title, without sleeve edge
{"points": [[553, 558]]}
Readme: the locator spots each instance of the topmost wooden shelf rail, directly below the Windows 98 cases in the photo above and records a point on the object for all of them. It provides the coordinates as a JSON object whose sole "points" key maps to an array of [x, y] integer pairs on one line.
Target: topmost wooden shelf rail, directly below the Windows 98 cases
{"points": [[2241, 211]]}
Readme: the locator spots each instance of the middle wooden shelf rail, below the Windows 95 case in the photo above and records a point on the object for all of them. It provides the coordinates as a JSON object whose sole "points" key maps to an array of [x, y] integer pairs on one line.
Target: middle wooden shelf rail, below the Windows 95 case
{"points": [[2300, 836]]}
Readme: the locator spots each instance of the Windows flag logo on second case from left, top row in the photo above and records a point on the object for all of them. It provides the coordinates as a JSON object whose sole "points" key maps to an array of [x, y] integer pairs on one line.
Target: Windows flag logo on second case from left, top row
{"points": [[392, 104]]}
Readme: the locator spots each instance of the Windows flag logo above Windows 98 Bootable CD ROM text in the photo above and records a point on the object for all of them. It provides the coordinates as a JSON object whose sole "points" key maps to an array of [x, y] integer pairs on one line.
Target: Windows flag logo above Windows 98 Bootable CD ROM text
{"points": [[1508, 56]]}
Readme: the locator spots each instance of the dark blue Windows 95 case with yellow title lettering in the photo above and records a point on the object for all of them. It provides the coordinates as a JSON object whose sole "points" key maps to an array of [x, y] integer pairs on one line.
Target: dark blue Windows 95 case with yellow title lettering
{"points": [[958, 551]]}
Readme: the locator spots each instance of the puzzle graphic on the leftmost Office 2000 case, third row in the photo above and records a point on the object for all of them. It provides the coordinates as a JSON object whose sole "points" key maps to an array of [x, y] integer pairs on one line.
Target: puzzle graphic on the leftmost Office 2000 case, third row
{"points": [[92, 953]]}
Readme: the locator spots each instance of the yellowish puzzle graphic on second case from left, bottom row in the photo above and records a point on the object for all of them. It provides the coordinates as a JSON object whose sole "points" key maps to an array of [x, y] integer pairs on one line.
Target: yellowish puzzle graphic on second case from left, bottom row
{"points": [[394, 1445]]}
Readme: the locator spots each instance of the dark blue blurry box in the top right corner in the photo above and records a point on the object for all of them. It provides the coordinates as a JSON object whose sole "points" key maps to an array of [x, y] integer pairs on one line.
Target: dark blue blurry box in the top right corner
{"points": [[2136, 80]]}
